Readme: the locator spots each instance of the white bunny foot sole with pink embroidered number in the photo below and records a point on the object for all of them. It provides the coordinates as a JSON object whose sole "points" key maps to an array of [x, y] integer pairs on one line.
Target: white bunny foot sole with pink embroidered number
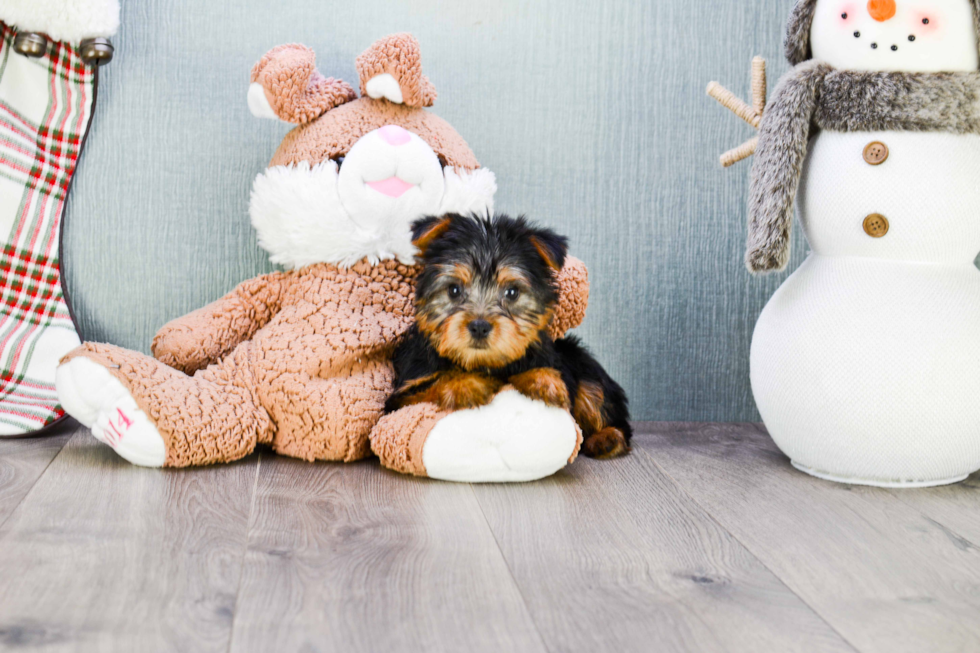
{"points": [[90, 394]]}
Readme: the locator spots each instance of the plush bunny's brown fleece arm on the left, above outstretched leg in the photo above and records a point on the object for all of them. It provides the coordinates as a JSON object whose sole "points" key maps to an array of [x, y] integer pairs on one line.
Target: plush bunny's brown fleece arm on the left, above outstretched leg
{"points": [[203, 337]]}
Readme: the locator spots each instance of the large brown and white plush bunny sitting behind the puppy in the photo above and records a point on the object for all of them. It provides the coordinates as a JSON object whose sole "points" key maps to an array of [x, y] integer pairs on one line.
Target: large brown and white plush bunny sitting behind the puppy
{"points": [[299, 360]]}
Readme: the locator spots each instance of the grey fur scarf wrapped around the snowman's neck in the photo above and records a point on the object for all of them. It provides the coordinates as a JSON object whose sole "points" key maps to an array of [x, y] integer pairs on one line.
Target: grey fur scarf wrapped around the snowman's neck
{"points": [[815, 95]]}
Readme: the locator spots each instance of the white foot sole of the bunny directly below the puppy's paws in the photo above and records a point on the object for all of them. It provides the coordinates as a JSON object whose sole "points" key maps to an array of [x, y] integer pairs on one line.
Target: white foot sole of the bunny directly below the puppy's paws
{"points": [[511, 440]]}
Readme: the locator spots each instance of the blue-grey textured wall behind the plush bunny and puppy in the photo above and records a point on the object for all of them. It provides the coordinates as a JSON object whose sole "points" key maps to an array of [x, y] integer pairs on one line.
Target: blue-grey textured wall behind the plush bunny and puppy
{"points": [[592, 113]]}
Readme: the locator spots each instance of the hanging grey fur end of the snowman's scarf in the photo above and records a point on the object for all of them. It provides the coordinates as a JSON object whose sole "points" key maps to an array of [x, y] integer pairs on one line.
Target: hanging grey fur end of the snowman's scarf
{"points": [[783, 138]]}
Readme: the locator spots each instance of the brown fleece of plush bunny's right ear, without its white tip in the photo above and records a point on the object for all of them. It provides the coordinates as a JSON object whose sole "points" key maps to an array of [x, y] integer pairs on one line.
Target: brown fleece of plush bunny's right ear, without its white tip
{"points": [[398, 55]]}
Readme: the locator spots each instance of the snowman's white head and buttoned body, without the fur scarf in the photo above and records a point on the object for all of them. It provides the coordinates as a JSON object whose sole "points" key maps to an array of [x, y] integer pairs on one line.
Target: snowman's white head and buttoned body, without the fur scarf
{"points": [[865, 364]]}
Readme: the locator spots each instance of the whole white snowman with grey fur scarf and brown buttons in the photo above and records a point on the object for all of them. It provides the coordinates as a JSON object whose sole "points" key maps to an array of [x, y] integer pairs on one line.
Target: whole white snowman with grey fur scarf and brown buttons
{"points": [[865, 364]]}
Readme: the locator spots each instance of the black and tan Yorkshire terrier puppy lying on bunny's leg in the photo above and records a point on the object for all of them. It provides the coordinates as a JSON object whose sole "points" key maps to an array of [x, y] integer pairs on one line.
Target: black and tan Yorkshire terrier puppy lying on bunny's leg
{"points": [[483, 301]]}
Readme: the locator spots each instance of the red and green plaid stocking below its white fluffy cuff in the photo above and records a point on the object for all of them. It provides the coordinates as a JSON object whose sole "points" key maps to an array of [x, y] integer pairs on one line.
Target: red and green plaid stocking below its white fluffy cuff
{"points": [[45, 106]]}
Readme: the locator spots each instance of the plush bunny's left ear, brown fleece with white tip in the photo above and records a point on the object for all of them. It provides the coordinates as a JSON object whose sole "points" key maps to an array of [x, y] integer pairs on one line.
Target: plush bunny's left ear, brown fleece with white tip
{"points": [[287, 86]]}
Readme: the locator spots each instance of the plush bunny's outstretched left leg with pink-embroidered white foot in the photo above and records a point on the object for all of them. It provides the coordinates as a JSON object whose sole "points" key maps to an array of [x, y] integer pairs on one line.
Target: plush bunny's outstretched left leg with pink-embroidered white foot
{"points": [[156, 416]]}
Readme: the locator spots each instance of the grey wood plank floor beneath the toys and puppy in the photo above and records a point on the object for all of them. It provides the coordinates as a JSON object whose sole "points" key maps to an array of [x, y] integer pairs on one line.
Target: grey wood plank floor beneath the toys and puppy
{"points": [[704, 539]]}
